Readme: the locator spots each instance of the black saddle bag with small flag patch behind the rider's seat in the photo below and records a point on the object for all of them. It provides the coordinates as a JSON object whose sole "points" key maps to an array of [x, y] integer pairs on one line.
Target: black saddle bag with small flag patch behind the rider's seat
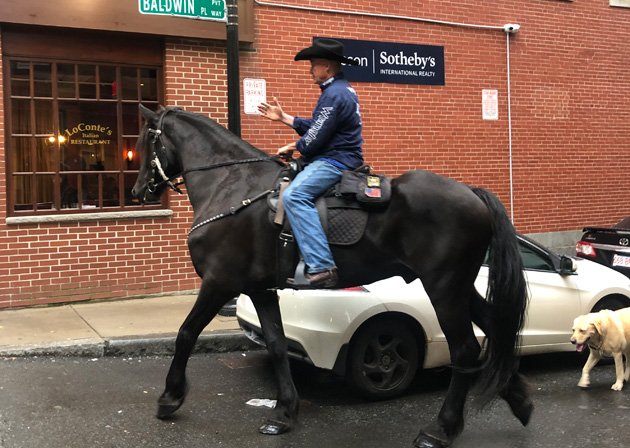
{"points": [[370, 190]]}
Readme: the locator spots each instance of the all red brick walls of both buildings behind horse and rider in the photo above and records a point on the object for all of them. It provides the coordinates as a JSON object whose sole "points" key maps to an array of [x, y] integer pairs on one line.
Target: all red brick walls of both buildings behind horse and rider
{"points": [[570, 96]]}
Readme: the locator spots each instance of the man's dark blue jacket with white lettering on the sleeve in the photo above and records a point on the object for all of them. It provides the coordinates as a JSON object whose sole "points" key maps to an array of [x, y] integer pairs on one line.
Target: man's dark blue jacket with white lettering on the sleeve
{"points": [[334, 132]]}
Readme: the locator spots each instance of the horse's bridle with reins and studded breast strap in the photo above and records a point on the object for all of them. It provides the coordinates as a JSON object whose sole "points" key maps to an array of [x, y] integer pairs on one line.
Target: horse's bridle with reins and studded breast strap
{"points": [[158, 148]]}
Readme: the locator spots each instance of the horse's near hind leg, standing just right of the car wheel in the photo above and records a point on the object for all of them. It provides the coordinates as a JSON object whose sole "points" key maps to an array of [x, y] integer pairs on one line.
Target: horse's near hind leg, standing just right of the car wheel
{"points": [[452, 309]]}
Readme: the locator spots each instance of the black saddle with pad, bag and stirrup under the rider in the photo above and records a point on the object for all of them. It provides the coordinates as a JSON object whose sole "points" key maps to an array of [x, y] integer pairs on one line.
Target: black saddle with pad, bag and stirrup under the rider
{"points": [[343, 211]]}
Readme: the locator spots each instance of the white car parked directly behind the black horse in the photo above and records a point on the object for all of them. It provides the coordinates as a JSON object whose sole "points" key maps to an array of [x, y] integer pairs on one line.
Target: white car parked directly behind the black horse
{"points": [[378, 335]]}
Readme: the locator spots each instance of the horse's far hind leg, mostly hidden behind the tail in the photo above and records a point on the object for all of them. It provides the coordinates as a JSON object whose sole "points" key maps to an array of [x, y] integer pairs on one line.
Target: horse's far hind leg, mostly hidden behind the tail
{"points": [[516, 393]]}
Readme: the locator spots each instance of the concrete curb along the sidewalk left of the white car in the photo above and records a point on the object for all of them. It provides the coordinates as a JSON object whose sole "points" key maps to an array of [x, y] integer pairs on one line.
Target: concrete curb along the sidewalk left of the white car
{"points": [[153, 345]]}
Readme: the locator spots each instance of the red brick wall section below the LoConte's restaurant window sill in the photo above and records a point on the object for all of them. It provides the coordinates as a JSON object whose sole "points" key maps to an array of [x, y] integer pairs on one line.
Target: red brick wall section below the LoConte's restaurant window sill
{"points": [[81, 261]]}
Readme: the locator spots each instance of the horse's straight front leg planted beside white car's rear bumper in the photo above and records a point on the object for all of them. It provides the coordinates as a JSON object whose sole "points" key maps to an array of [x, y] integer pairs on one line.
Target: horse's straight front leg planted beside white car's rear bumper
{"points": [[285, 413]]}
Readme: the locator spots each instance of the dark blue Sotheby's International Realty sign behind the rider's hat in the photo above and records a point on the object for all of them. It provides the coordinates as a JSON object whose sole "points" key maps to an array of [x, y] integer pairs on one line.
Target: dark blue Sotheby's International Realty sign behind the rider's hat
{"points": [[394, 63]]}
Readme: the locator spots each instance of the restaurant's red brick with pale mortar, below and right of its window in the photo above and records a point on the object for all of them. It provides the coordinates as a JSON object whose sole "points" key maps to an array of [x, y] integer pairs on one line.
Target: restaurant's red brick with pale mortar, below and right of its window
{"points": [[63, 262]]}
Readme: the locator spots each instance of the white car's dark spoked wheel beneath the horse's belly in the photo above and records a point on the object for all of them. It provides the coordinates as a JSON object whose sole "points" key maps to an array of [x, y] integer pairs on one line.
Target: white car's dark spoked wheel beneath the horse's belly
{"points": [[383, 359]]}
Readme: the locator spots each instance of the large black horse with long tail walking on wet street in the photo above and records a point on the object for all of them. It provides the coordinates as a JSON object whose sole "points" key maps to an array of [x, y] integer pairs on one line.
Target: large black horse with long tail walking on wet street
{"points": [[434, 228]]}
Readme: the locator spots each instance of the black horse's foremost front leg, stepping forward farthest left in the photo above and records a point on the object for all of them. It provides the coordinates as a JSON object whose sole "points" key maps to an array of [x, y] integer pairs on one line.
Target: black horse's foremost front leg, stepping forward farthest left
{"points": [[206, 307]]}
